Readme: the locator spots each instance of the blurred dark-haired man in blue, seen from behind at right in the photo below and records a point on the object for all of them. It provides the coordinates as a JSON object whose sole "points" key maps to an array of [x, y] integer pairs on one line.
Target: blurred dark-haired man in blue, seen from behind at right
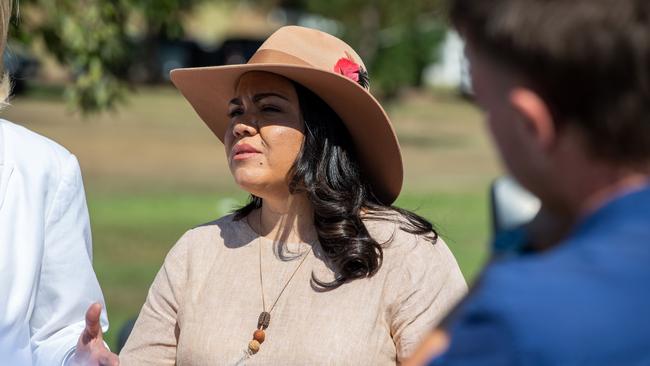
{"points": [[565, 86]]}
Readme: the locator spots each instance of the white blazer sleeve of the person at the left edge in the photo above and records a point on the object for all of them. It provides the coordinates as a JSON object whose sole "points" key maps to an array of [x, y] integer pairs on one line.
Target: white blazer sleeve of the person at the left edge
{"points": [[67, 283]]}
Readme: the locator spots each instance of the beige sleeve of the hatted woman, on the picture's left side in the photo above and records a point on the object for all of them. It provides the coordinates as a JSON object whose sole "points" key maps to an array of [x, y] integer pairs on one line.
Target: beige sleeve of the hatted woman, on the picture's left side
{"points": [[154, 338]]}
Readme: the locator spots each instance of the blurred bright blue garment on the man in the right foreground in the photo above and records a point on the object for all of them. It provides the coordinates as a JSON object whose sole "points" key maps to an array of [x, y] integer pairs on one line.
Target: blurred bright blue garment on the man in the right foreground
{"points": [[585, 302]]}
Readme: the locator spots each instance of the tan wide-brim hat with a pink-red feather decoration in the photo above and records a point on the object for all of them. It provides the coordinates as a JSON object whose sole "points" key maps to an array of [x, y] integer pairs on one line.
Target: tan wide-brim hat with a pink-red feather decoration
{"points": [[325, 65]]}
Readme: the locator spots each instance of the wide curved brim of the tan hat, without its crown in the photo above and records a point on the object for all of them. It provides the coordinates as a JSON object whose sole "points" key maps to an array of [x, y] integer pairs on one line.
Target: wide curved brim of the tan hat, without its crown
{"points": [[209, 88]]}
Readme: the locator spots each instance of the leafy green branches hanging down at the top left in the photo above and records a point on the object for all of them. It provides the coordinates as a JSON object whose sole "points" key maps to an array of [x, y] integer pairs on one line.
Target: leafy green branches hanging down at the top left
{"points": [[90, 36]]}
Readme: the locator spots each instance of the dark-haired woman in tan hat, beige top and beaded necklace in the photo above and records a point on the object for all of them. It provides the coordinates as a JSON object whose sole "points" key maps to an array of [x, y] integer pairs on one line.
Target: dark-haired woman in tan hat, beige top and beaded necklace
{"points": [[317, 268]]}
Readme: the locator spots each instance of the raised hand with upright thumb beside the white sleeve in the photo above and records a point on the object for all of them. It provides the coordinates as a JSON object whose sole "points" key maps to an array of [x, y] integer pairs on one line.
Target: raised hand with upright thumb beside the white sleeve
{"points": [[91, 350]]}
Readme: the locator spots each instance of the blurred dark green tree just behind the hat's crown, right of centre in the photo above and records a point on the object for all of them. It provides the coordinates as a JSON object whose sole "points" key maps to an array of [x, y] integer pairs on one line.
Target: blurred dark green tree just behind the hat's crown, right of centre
{"points": [[396, 39]]}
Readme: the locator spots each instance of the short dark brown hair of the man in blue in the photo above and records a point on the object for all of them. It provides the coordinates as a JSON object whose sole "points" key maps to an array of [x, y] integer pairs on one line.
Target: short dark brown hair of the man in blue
{"points": [[588, 59]]}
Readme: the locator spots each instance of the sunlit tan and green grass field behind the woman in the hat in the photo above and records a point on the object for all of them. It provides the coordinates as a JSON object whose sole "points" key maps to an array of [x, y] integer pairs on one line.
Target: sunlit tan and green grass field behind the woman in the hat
{"points": [[153, 170]]}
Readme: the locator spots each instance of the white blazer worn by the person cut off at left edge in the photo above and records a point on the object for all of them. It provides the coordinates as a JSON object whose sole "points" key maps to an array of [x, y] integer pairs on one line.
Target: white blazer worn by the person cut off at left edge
{"points": [[46, 277]]}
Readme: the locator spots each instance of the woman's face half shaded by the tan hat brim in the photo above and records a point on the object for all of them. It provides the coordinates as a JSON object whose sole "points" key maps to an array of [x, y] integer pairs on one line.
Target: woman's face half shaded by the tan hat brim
{"points": [[265, 133]]}
